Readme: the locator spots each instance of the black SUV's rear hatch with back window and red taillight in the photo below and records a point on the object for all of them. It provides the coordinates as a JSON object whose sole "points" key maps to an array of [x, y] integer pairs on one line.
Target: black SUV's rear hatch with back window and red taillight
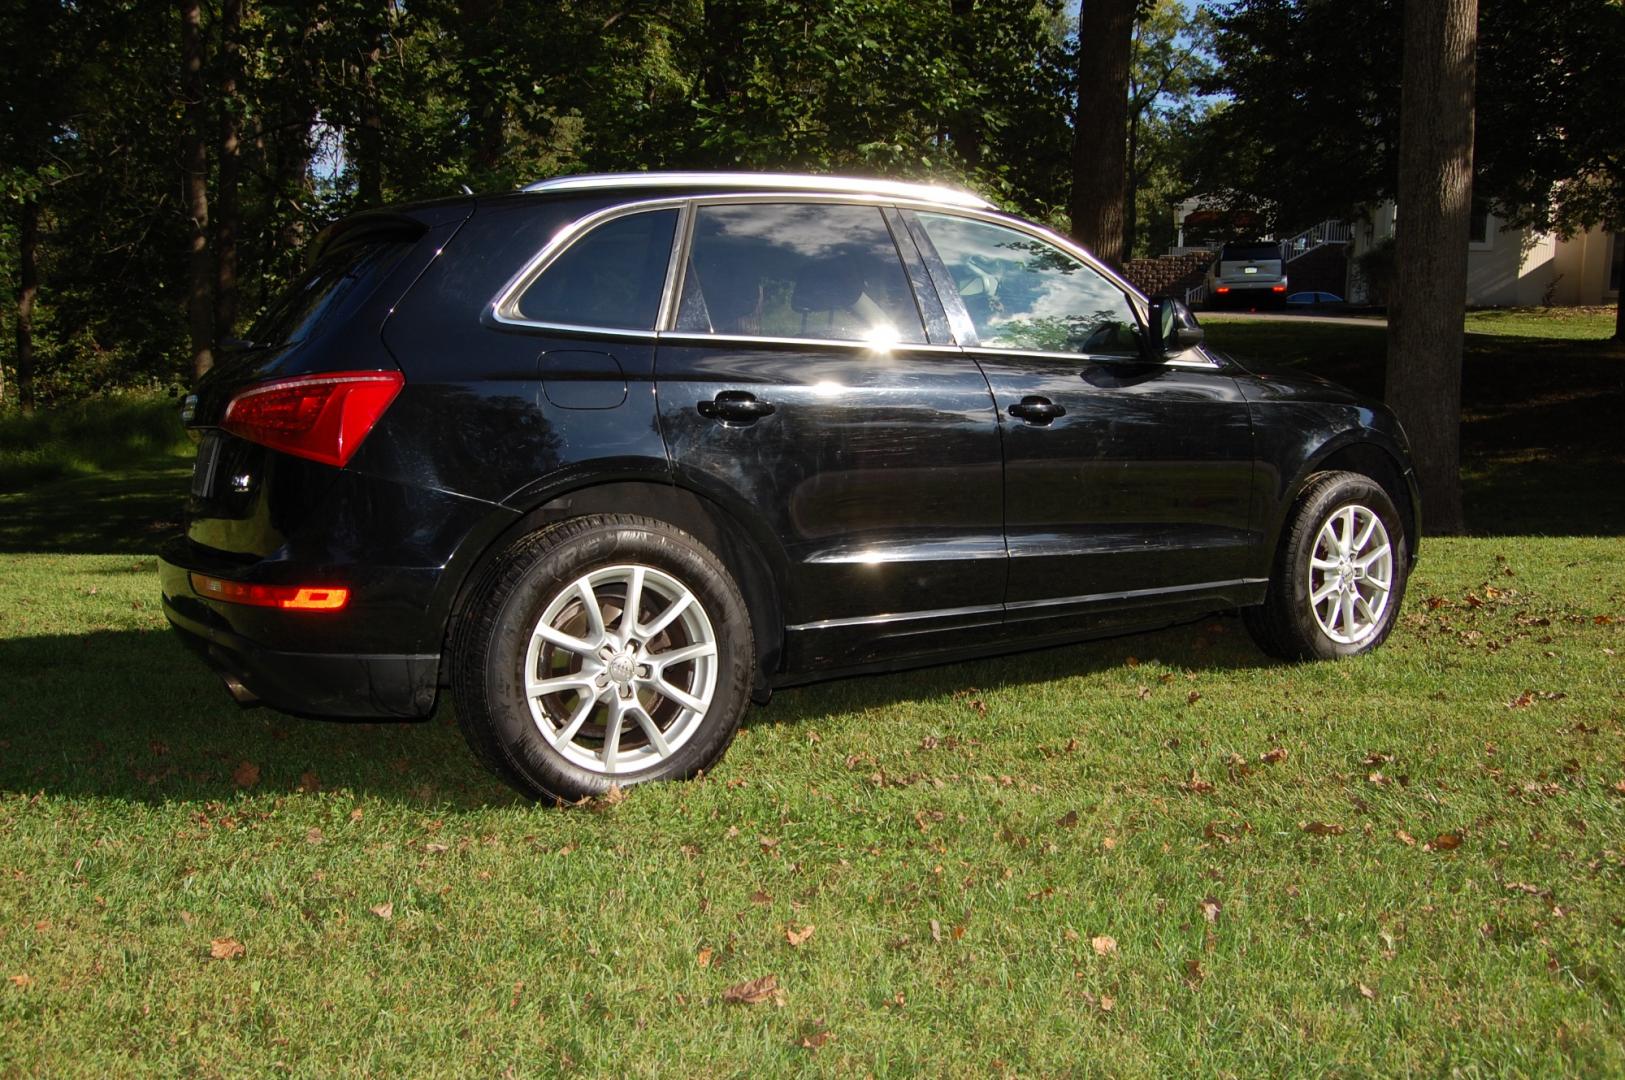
{"points": [[258, 473]]}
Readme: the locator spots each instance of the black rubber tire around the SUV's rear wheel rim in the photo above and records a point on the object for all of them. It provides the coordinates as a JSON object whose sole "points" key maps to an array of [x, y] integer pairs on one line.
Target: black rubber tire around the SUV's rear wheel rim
{"points": [[495, 641]]}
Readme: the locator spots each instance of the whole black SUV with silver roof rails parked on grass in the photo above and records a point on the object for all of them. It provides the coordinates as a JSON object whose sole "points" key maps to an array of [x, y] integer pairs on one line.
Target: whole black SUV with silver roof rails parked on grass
{"points": [[615, 456]]}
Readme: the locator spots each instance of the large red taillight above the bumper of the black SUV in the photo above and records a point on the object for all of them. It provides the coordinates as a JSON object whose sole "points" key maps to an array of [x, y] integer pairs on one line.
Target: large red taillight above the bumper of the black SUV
{"points": [[323, 418]]}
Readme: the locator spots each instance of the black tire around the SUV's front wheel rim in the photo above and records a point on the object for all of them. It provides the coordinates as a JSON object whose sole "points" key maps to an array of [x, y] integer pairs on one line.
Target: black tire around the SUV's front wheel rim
{"points": [[1285, 624]]}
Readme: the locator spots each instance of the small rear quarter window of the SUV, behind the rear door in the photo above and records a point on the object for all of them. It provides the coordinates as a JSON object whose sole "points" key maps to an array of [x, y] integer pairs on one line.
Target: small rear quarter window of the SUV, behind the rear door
{"points": [[612, 277]]}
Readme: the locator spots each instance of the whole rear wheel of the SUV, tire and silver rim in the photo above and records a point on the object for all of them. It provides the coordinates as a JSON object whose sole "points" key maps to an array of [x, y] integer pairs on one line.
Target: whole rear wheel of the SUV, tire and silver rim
{"points": [[609, 650]]}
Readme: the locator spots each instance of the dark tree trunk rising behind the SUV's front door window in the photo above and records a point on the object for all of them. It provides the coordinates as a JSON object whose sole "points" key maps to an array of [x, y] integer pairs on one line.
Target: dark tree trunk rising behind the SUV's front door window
{"points": [[1106, 40]]}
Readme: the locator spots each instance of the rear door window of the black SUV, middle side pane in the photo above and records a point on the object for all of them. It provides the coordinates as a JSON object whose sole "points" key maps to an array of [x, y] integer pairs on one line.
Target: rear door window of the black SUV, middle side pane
{"points": [[797, 270]]}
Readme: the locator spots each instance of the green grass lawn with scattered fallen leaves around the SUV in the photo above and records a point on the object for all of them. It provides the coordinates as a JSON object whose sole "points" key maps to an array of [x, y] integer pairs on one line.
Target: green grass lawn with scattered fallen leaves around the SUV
{"points": [[1148, 857]]}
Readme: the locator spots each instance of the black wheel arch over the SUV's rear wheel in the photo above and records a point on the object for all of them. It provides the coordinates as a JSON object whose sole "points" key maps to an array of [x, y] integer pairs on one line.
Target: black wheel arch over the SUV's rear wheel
{"points": [[758, 564]]}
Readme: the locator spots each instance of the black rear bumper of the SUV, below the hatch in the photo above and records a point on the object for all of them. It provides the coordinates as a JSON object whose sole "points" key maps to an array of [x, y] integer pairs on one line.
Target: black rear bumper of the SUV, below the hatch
{"points": [[314, 685]]}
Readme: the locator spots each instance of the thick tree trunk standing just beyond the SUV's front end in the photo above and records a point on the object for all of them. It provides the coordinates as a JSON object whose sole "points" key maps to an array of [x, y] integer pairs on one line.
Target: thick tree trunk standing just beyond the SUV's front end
{"points": [[1436, 205]]}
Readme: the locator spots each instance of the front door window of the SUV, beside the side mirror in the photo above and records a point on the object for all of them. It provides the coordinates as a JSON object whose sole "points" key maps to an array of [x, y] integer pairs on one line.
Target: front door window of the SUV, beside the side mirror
{"points": [[1033, 296]]}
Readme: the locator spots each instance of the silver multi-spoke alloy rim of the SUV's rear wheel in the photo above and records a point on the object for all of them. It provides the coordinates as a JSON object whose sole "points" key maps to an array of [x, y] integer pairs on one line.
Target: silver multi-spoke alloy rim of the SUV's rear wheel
{"points": [[622, 670]]}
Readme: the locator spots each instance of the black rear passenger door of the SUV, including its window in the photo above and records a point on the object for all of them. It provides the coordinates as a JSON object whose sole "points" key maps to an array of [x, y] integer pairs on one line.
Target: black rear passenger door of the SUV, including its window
{"points": [[812, 389]]}
